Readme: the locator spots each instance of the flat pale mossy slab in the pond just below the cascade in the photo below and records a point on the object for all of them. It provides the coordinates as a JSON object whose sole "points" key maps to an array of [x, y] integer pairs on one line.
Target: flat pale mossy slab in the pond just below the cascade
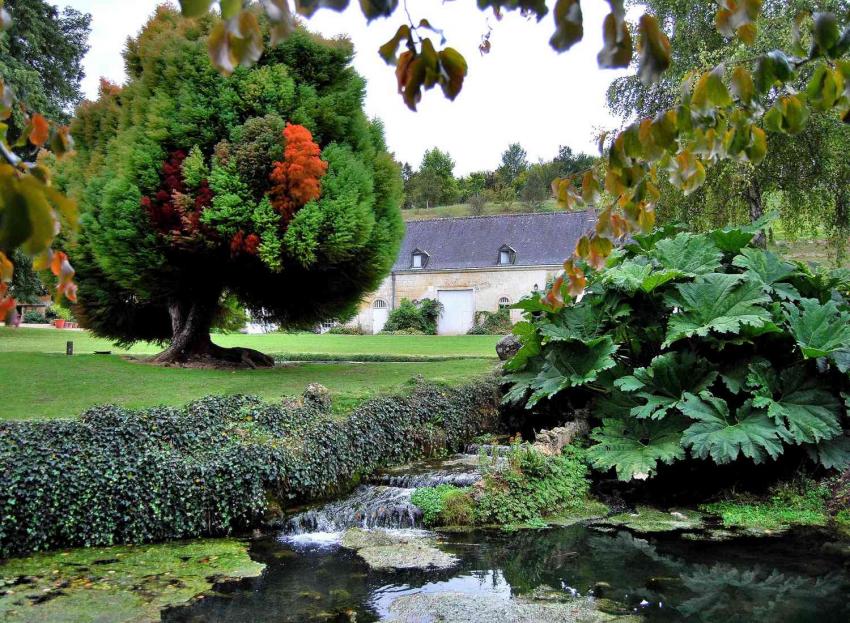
{"points": [[397, 550]]}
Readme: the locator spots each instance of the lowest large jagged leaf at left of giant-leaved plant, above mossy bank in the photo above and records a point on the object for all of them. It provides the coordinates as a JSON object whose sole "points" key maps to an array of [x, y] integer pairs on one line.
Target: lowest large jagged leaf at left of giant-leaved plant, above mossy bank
{"points": [[635, 447]]}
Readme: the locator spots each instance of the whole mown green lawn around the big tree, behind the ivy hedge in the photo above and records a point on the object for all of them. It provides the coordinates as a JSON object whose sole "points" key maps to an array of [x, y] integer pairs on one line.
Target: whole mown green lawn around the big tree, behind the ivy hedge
{"points": [[49, 384]]}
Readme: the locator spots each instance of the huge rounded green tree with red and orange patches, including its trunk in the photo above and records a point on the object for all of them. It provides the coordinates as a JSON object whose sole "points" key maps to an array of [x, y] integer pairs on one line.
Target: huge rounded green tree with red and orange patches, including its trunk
{"points": [[270, 185]]}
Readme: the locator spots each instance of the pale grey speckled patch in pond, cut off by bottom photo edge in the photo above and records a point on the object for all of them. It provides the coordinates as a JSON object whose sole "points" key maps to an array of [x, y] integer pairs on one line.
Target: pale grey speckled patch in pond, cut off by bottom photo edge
{"points": [[453, 607]]}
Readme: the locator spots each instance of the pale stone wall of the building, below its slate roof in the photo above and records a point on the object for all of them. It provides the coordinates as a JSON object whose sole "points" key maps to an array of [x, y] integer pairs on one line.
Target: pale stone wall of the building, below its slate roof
{"points": [[489, 285]]}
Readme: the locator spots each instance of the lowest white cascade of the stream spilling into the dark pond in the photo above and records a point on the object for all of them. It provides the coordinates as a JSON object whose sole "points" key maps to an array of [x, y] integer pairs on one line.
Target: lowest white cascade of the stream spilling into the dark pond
{"points": [[368, 506]]}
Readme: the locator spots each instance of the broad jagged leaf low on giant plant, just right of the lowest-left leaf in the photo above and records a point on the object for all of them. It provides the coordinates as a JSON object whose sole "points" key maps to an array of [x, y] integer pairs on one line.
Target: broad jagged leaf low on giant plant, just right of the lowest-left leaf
{"points": [[722, 437]]}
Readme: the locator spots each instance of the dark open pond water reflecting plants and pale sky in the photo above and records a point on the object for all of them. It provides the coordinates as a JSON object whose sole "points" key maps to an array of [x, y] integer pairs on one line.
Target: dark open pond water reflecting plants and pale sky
{"points": [[780, 580]]}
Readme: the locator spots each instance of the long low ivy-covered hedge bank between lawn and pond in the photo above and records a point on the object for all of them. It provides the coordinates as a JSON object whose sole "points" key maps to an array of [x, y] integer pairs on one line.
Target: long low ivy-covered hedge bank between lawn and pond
{"points": [[216, 466]]}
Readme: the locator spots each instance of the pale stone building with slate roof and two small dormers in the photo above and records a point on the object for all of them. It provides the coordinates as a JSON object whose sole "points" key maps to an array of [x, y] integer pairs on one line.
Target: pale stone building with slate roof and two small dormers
{"points": [[474, 264]]}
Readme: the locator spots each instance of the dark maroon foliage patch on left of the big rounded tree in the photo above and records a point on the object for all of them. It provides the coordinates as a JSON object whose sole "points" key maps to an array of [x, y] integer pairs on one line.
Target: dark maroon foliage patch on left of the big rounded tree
{"points": [[170, 209]]}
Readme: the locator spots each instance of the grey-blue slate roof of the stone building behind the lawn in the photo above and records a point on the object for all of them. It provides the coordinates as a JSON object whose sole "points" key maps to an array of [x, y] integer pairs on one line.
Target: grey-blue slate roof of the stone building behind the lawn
{"points": [[539, 239]]}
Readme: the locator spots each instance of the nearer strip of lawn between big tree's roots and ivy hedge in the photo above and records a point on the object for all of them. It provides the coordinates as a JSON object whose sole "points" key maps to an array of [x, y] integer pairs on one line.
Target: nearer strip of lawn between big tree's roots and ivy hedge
{"points": [[48, 385]]}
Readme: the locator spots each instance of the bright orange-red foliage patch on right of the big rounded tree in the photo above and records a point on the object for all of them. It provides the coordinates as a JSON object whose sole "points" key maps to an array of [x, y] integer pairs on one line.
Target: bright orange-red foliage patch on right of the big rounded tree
{"points": [[297, 180]]}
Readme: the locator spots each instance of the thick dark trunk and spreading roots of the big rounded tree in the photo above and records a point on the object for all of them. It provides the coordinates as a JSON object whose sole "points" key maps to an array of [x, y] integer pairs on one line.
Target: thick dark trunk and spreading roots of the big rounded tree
{"points": [[191, 320]]}
